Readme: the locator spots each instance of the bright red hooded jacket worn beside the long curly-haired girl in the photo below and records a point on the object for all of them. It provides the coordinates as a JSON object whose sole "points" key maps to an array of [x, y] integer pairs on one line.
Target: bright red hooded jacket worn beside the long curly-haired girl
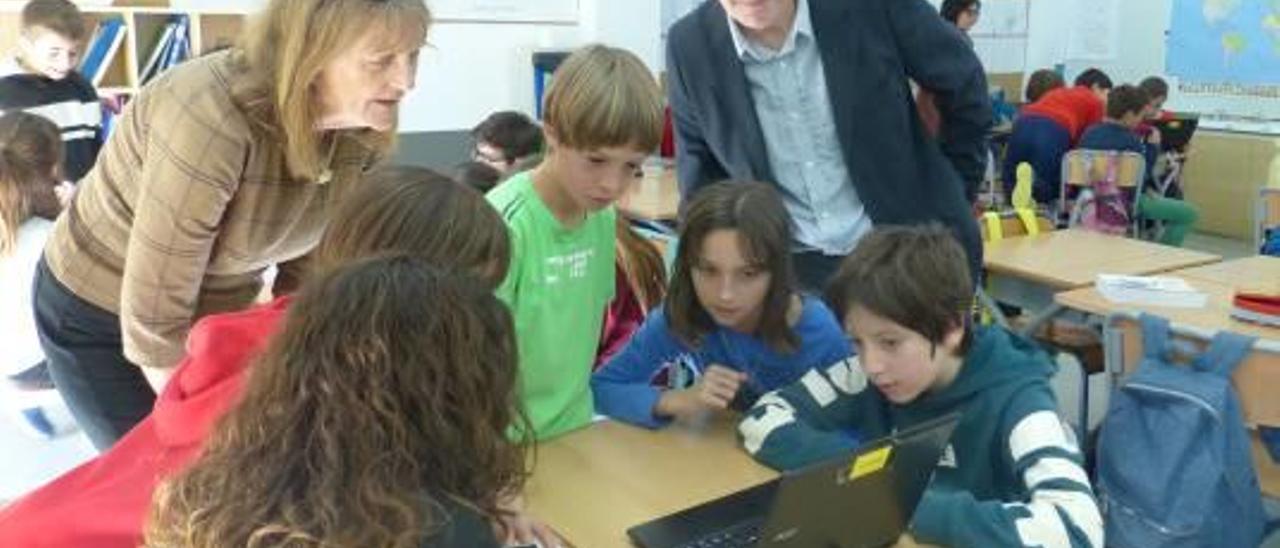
{"points": [[106, 501]]}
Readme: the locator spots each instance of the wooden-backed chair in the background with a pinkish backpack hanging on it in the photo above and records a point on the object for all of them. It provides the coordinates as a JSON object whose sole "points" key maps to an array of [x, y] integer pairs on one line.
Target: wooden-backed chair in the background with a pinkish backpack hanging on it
{"points": [[1082, 168]]}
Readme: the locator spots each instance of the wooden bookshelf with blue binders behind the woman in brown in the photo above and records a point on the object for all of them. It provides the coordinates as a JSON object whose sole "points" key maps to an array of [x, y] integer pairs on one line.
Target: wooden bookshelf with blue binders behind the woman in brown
{"points": [[144, 22]]}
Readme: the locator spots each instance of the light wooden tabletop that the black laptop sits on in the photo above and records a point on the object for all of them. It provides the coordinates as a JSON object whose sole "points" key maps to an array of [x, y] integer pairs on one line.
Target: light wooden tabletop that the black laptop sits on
{"points": [[593, 485]]}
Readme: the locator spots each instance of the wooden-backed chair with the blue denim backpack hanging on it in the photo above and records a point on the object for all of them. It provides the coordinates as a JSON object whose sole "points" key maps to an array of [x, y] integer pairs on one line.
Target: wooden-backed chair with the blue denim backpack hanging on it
{"points": [[1255, 380]]}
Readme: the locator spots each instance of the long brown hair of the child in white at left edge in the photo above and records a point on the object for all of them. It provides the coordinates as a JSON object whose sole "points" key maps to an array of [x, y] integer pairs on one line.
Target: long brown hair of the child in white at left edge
{"points": [[31, 150]]}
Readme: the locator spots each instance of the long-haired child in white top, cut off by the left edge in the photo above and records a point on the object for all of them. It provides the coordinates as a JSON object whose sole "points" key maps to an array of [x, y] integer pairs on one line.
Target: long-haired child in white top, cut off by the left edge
{"points": [[30, 162]]}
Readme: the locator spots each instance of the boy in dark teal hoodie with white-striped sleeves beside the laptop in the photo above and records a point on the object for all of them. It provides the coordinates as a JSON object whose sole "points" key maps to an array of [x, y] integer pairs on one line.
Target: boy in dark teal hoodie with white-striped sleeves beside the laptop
{"points": [[1012, 474]]}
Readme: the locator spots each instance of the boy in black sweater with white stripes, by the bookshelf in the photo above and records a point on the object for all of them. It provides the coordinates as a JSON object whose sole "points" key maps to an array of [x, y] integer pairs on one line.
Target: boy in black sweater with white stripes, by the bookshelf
{"points": [[43, 77]]}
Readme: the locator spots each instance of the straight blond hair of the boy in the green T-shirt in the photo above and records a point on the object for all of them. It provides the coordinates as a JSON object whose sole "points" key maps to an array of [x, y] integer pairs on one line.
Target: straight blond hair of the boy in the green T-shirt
{"points": [[605, 98]]}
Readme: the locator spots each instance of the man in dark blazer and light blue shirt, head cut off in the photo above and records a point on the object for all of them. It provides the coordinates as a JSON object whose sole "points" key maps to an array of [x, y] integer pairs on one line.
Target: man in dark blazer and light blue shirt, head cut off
{"points": [[813, 97]]}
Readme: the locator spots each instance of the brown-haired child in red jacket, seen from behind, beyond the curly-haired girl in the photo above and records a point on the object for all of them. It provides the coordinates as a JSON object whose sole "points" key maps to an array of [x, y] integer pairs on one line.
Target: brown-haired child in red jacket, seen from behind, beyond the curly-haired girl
{"points": [[396, 211]]}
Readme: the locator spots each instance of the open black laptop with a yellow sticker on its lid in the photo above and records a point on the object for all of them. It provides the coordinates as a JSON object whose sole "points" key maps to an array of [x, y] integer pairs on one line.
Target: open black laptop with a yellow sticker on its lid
{"points": [[861, 500]]}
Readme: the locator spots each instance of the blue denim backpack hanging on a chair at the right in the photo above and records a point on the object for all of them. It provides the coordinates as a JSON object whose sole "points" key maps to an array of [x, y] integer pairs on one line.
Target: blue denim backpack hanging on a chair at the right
{"points": [[1174, 463]]}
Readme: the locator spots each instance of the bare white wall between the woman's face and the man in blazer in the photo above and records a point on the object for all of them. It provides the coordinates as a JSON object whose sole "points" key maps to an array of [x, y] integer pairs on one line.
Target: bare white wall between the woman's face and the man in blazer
{"points": [[473, 70]]}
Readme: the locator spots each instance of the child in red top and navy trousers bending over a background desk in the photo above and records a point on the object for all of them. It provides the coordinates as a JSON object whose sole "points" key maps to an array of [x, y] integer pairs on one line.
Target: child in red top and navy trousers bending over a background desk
{"points": [[1048, 129]]}
